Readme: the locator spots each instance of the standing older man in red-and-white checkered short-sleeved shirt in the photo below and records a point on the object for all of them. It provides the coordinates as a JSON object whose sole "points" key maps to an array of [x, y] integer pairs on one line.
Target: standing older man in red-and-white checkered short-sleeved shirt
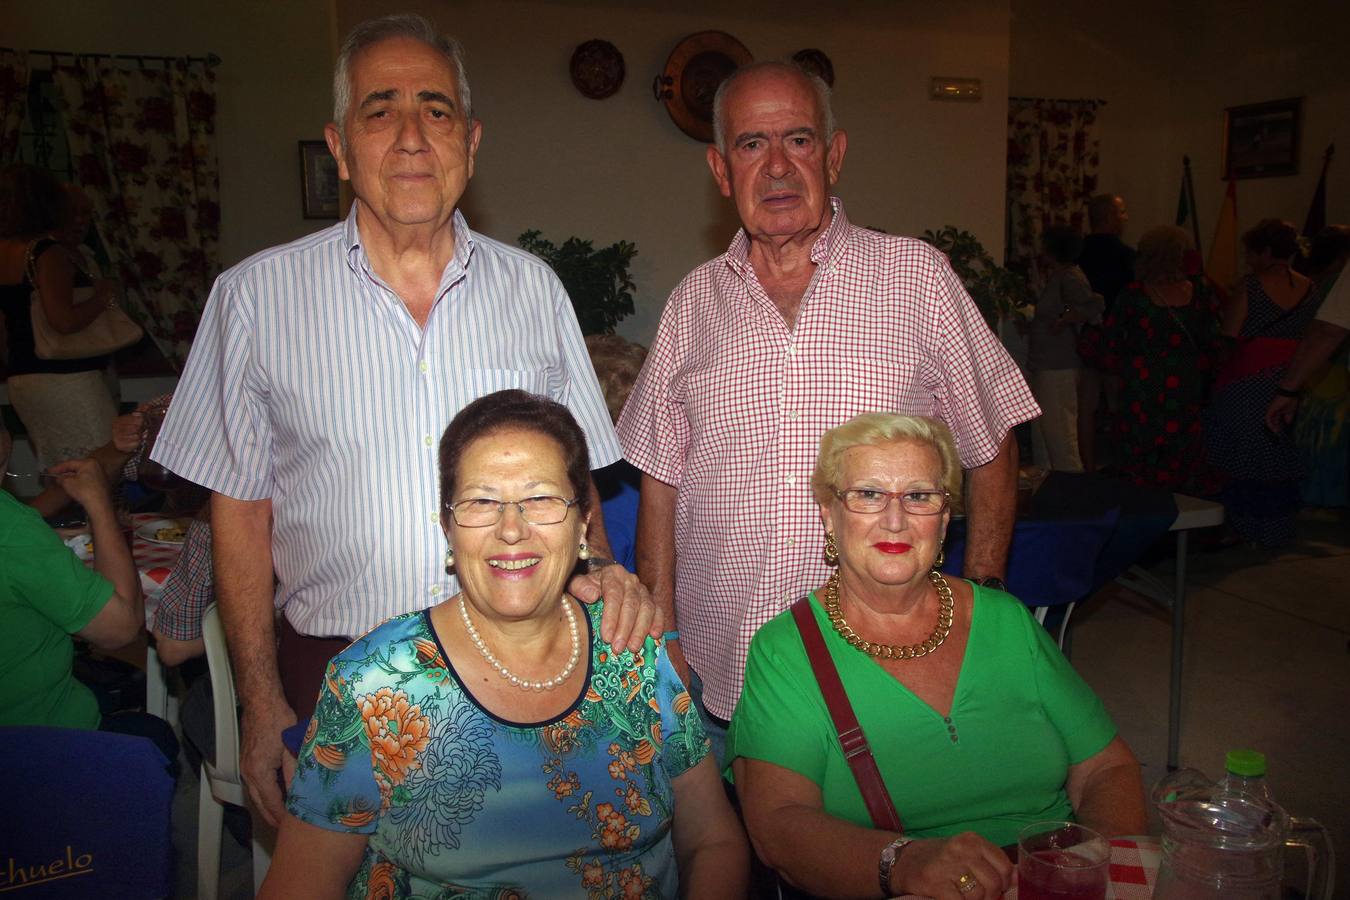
{"points": [[803, 325]]}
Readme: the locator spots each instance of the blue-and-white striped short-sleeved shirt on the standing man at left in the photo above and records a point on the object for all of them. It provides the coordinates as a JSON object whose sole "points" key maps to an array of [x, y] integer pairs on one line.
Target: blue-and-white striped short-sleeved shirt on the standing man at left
{"points": [[310, 384]]}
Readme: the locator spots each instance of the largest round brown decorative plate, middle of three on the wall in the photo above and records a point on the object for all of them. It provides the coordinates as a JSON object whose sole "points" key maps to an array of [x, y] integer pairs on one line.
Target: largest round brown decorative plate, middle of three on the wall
{"points": [[696, 68]]}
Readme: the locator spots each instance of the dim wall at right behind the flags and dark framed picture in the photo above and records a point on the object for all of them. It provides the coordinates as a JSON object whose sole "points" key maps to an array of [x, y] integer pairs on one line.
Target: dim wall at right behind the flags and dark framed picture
{"points": [[1167, 72]]}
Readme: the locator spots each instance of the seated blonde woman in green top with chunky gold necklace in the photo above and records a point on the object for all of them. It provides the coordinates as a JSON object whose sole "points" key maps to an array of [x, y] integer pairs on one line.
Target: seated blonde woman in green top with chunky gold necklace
{"points": [[978, 723]]}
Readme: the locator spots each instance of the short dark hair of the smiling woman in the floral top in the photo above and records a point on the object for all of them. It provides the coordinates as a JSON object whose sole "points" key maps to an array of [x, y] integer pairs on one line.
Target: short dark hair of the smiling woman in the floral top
{"points": [[516, 411]]}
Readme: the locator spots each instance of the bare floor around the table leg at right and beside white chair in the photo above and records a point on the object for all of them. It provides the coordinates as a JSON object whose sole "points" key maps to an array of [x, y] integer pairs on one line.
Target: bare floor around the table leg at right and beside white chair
{"points": [[1267, 666]]}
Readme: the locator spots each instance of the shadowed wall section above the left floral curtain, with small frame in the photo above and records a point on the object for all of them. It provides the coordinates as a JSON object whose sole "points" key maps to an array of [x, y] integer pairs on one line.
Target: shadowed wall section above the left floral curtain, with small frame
{"points": [[273, 88]]}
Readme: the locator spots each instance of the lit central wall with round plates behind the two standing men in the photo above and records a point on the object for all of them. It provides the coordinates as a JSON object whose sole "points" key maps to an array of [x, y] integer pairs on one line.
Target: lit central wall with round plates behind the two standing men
{"points": [[620, 169]]}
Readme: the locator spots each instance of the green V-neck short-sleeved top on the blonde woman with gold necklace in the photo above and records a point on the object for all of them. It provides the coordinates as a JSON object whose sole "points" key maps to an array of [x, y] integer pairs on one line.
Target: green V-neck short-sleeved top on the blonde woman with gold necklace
{"points": [[1020, 719]]}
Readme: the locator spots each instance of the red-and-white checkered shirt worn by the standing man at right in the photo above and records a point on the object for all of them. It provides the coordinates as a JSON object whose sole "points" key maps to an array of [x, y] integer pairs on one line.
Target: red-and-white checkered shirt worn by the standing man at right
{"points": [[732, 404]]}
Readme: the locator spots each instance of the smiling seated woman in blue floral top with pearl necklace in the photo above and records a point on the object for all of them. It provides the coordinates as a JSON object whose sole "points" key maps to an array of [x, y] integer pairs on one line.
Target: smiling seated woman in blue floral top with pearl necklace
{"points": [[495, 746]]}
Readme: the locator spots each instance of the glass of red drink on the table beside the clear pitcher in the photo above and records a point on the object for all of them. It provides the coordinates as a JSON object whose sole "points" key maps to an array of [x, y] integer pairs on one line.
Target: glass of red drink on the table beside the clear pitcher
{"points": [[1062, 862]]}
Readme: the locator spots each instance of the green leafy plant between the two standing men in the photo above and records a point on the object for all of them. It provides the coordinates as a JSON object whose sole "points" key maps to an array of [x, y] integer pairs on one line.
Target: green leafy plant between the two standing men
{"points": [[597, 281]]}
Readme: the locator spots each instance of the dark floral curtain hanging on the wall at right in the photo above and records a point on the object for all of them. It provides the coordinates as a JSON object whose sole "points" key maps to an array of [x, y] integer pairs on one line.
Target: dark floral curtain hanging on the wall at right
{"points": [[1052, 169]]}
